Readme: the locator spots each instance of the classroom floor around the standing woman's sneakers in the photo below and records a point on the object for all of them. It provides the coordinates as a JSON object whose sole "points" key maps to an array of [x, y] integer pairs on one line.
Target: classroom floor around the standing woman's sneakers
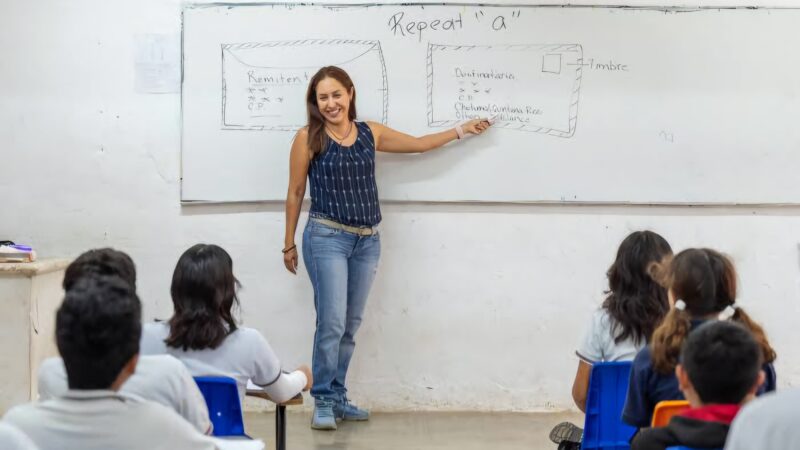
{"points": [[416, 430]]}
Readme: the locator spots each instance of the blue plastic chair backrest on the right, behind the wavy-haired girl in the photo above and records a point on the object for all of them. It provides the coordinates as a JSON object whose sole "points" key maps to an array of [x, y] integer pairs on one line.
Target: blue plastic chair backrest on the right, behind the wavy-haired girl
{"points": [[603, 427]]}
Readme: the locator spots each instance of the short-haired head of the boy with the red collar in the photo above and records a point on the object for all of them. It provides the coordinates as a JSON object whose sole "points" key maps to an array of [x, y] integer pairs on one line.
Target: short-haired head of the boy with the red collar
{"points": [[720, 362]]}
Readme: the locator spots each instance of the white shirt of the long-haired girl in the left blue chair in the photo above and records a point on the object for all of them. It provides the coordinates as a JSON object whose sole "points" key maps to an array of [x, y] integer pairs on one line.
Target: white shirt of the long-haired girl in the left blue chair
{"points": [[244, 355]]}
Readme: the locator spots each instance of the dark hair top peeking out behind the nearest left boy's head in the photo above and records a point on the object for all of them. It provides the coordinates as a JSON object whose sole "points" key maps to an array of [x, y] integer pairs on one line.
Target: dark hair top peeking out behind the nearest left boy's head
{"points": [[100, 261]]}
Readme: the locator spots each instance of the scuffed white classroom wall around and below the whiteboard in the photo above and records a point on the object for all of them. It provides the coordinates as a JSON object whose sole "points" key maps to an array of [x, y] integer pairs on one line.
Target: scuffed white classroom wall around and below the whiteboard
{"points": [[475, 306]]}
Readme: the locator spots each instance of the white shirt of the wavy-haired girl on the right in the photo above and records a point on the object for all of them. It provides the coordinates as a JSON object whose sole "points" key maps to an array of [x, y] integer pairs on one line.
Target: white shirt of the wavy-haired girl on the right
{"points": [[598, 343]]}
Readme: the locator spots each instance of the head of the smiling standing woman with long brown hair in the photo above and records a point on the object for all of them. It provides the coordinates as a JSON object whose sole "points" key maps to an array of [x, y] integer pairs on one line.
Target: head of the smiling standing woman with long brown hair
{"points": [[331, 98]]}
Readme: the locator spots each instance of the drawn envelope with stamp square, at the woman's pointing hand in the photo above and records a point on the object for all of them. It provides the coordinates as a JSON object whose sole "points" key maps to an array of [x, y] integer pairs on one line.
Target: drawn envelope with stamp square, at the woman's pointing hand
{"points": [[526, 87]]}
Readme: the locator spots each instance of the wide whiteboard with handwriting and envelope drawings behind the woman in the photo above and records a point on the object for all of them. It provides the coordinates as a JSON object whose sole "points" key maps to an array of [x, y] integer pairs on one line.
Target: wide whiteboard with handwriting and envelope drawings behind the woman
{"points": [[593, 104]]}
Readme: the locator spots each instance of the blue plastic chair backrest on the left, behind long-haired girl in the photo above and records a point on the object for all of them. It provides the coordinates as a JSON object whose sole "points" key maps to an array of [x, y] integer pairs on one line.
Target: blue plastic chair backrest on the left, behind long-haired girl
{"points": [[222, 399]]}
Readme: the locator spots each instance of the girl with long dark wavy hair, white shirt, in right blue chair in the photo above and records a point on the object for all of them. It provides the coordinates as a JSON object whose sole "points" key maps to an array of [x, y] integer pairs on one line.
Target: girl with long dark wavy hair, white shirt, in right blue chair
{"points": [[634, 305]]}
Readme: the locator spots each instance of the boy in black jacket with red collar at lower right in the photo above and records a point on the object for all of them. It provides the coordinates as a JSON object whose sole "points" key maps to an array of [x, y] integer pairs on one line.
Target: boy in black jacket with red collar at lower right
{"points": [[719, 370]]}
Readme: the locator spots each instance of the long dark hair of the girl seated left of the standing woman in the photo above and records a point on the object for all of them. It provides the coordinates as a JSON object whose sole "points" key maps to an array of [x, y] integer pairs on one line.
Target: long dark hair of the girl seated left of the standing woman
{"points": [[203, 295]]}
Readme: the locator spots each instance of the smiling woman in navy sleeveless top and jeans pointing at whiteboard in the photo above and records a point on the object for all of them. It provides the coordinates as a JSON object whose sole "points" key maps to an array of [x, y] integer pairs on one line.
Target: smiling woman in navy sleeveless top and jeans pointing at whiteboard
{"points": [[341, 245]]}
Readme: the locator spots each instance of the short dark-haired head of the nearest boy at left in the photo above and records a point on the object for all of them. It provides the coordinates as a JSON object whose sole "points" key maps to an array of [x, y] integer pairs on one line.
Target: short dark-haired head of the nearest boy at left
{"points": [[98, 327]]}
